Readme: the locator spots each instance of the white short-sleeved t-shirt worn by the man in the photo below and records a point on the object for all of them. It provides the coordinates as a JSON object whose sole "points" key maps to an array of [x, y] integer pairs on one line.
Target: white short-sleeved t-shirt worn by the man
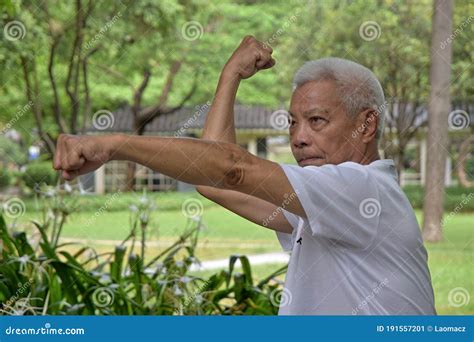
{"points": [[359, 251]]}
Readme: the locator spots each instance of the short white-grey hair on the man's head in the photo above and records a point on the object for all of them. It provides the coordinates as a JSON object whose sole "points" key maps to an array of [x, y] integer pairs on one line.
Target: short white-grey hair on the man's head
{"points": [[357, 86]]}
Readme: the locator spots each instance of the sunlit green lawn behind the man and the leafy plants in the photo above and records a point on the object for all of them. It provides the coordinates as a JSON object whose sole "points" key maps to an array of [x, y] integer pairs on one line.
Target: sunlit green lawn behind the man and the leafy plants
{"points": [[450, 261]]}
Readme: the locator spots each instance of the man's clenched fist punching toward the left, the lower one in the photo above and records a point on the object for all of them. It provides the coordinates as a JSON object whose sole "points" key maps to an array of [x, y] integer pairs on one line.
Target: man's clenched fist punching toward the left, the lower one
{"points": [[79, 154]]}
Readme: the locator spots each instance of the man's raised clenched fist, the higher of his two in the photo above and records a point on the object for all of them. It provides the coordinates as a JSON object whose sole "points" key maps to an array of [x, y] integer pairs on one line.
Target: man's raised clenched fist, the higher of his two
{"points": [[250, 57]]}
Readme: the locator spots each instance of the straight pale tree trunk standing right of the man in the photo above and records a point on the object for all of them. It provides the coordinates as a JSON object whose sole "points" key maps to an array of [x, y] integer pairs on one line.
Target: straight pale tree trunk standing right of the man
{"points": [[440, 73]]}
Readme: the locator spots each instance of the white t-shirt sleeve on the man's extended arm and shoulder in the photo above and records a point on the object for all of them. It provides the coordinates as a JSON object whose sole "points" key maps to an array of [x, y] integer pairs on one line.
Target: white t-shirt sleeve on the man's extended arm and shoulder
{"points": [[341, 202]]}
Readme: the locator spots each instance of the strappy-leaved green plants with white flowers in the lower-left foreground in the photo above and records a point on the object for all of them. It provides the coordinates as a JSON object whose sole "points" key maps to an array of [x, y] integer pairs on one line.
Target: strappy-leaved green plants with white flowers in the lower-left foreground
{"points": [[48, 277]]}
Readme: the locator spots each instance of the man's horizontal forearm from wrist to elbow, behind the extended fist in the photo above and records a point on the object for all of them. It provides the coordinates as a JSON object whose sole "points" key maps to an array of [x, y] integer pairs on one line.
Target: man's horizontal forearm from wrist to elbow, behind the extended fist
{"points": [[194, 161]]}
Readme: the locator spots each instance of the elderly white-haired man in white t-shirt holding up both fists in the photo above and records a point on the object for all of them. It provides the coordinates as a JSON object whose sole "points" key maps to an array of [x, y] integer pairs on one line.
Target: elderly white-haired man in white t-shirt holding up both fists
{"points": [[354, 240]]}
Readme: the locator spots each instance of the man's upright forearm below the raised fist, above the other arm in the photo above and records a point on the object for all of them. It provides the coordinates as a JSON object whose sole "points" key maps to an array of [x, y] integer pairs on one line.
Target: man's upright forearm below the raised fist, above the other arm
{"points": [[219, 123]]}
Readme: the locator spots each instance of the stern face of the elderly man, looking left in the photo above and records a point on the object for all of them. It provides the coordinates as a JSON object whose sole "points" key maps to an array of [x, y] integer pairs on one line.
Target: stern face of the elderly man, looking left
{"points": [[320, 130]]}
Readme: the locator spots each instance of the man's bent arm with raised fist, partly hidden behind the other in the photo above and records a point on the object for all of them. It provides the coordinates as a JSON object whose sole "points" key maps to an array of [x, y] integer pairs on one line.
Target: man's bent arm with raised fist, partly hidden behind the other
{"points": [[249, 57]]}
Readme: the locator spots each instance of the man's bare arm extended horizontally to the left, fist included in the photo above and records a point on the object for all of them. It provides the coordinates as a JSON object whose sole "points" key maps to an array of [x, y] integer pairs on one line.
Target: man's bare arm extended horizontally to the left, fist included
{"points": [[200, 162]]}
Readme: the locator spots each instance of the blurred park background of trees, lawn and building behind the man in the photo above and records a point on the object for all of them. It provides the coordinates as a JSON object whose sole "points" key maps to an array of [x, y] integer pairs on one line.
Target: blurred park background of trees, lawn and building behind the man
{"points": [[151, 68]]}
